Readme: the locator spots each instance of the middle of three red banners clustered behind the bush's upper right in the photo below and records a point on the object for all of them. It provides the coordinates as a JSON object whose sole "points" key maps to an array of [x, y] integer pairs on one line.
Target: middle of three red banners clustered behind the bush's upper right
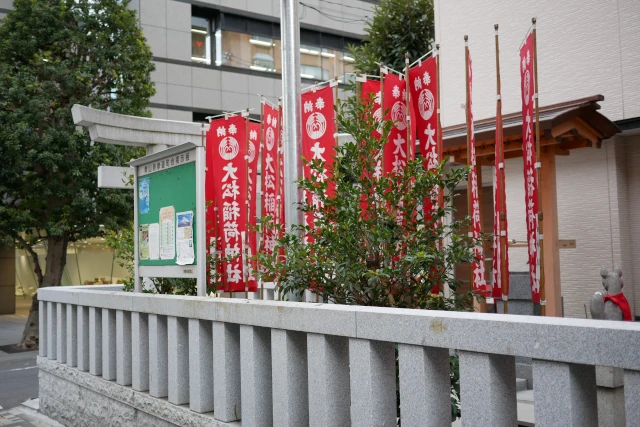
{"points": [[394, 101]]}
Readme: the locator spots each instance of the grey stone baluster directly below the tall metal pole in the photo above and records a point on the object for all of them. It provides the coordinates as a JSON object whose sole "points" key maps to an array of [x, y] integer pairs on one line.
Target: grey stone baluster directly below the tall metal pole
{"points": [[289, 374]]}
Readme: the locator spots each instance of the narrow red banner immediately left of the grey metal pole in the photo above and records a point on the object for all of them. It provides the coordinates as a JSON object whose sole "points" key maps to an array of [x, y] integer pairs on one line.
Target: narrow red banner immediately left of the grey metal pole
{"points": [[270, 140]]}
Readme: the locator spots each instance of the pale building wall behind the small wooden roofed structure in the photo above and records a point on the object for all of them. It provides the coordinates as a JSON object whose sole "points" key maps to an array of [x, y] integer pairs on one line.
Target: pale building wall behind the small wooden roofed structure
{"points": [[584, 48]]}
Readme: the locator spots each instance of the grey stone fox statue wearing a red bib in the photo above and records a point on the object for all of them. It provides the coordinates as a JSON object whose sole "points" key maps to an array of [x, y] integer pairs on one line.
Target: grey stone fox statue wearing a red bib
{"points": [[613, 305]]}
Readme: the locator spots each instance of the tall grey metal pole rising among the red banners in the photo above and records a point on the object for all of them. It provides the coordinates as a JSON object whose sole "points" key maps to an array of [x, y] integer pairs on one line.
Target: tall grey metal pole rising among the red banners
{"points": [[292, 115]]}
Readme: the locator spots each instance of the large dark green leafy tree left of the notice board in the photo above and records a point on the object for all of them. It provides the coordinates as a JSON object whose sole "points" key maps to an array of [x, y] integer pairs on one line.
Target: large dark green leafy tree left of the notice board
{"points": [[54, 54]]}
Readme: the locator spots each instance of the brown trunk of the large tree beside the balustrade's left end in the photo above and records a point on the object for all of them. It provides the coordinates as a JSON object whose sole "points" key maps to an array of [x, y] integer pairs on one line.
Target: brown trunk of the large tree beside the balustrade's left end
{"points": [[55, 261]]}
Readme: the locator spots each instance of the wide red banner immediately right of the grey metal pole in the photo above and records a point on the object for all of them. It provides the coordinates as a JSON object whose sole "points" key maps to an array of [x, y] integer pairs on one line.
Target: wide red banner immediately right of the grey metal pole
{"points": [[318, 141]]}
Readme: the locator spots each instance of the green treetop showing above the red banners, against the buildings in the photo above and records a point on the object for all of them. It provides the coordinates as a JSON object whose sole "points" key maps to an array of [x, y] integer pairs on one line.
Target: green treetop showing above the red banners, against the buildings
{"points": [[398, 26]]}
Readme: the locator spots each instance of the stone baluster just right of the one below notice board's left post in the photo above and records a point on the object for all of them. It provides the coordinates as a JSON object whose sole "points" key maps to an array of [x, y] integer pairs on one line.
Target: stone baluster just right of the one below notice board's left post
{"points": [[158, 353]]}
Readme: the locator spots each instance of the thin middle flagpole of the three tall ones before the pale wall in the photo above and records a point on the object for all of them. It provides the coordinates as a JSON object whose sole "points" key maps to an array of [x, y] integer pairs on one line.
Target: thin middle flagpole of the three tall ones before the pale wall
{"points": [[502, 238]]}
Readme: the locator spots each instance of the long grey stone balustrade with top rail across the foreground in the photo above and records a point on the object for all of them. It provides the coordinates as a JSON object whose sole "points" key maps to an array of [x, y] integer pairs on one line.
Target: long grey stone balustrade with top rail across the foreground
{"points": [[173, 360]]}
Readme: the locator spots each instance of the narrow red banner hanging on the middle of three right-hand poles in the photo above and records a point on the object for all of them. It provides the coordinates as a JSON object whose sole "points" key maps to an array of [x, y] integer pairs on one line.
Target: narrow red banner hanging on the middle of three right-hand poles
{"points": [[500, 235]]}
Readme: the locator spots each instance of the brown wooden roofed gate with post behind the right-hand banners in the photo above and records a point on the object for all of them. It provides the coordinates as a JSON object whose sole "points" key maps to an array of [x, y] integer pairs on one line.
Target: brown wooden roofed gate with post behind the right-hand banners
{"points": [[563, 127]]}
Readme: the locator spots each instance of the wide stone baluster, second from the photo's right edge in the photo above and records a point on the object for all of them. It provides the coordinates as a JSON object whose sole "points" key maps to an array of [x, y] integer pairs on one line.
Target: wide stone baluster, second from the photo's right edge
{"points": [[565, 394]]}
